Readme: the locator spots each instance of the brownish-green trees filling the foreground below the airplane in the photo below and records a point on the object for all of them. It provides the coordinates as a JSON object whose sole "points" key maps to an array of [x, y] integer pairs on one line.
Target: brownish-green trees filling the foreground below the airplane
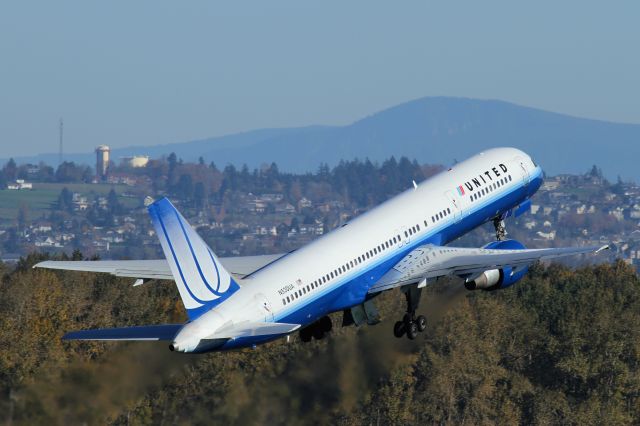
{"points": [[561, 347]]}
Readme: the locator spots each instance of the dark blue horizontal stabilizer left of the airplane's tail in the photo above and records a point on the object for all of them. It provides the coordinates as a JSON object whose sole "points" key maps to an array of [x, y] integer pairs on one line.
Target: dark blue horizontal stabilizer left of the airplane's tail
{"points": [[145, 332]]}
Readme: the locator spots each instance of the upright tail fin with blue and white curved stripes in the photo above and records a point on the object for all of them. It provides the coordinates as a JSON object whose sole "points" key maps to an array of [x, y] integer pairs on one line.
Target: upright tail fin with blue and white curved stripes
{"points": [[201, 279]]}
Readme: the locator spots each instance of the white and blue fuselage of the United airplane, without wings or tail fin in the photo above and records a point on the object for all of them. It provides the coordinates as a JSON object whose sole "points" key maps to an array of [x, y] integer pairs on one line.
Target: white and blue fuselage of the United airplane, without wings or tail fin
{"points": [[305, 284]]}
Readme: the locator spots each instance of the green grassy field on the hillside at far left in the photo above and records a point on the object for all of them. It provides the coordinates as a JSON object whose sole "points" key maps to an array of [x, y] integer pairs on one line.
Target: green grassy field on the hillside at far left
{"points": [[43, 197]]}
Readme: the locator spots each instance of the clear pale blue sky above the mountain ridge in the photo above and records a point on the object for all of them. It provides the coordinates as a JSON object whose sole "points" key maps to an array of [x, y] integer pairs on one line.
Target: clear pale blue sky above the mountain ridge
{"points": [[151, 72]]}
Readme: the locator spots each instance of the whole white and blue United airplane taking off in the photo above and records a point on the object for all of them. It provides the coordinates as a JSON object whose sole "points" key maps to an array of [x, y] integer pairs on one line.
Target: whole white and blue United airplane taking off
{"points": [[246, 301]]}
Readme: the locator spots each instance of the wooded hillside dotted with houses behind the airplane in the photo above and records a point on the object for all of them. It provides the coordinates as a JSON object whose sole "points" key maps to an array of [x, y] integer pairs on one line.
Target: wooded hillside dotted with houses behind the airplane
{"points": [[242, 212]]}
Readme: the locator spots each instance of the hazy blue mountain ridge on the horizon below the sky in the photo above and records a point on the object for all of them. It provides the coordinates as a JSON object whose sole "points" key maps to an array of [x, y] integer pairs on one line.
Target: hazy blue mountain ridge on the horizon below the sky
{"points": [[431, 130]]}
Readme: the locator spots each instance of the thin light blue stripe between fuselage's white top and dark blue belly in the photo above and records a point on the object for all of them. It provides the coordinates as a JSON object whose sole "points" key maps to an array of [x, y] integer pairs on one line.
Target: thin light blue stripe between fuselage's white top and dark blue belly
{"points": [[489, 200]]}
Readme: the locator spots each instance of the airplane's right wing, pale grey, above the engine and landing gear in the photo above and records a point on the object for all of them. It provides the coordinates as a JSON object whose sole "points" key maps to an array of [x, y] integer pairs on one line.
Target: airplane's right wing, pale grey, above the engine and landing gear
{"points": [[429, 262]]}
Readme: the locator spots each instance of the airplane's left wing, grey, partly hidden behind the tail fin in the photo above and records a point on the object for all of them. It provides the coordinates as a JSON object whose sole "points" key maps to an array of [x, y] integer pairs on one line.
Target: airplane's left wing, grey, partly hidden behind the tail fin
{"points": [[156, 269]]}
